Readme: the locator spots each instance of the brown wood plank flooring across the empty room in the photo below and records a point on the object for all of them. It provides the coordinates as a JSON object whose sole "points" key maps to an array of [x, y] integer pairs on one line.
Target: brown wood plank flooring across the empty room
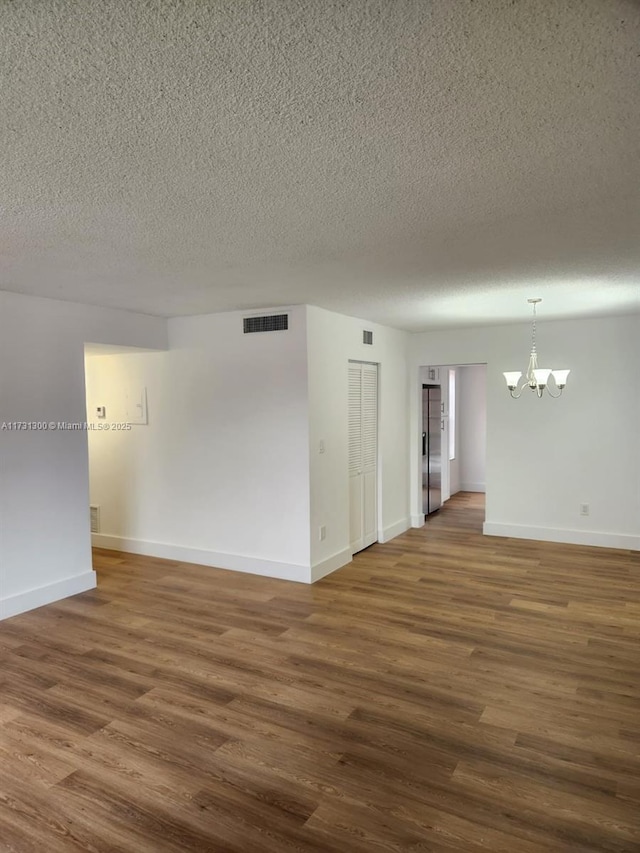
{"points": [[445, 692]]}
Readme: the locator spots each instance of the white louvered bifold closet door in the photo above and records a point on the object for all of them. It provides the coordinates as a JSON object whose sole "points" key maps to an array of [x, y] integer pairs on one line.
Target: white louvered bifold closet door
{"points": [[363, 454]]}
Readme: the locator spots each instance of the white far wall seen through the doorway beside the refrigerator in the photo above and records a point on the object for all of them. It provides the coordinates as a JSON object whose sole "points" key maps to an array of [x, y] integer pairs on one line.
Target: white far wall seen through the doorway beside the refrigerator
{"points": [[471, 393]]}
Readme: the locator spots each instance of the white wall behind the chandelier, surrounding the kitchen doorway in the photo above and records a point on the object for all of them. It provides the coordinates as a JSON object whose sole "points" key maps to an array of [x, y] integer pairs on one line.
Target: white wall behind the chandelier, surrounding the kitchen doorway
{"points": [[545, 457]]}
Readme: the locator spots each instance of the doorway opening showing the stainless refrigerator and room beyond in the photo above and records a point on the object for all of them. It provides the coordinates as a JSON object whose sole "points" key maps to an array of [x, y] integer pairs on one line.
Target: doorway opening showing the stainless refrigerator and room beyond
{"points": [[453, 426]]}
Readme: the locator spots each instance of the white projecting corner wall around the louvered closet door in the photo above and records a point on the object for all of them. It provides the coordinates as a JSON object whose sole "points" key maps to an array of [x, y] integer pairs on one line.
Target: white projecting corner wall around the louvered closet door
{"points": [[227, 472]]}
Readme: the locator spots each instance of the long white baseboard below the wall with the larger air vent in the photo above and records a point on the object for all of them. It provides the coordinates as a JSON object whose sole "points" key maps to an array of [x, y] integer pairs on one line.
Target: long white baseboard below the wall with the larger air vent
{"points": [[215, 559]]}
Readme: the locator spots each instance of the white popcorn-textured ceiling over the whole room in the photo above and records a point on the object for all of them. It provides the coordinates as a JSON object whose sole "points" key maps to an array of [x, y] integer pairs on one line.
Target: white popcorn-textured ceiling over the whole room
{"points": [[416, 163]]}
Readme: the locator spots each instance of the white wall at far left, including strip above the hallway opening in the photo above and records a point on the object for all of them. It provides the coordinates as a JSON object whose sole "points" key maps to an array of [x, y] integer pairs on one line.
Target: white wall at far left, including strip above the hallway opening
{"points": [[44, 493]]}
